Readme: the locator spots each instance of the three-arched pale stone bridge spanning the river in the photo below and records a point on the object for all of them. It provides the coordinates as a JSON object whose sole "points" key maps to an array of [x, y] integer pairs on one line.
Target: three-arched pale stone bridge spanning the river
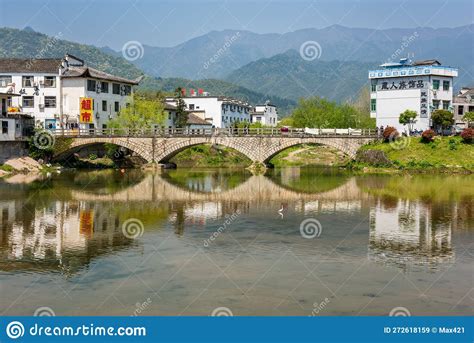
{"points": [[259, 146]]}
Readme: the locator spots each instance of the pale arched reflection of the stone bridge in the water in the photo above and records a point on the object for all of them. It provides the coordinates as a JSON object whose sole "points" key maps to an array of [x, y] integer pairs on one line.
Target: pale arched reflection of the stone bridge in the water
{"points": [[255, 188]]}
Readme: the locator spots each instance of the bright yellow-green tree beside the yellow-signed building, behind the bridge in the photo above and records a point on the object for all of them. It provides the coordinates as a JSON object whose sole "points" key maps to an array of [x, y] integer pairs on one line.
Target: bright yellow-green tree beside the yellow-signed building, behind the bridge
{"points": [[142, 114]]}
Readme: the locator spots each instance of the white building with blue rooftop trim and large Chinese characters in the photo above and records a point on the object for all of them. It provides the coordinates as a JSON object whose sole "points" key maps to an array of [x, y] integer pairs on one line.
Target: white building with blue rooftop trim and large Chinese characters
{"points": [[421, 86]]}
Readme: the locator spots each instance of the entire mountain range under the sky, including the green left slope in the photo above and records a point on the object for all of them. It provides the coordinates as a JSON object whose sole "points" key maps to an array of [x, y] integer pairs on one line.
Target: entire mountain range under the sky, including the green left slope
{"points": [[257, 67]]}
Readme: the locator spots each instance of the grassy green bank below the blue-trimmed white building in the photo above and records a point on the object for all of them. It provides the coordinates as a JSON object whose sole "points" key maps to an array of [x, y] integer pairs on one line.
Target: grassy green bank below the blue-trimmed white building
{"points": [[443, 153]]}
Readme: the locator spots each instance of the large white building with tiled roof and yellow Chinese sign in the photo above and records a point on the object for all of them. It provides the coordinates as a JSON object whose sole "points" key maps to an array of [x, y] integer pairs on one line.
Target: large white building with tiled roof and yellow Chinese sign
{"points": [[51, 89]]}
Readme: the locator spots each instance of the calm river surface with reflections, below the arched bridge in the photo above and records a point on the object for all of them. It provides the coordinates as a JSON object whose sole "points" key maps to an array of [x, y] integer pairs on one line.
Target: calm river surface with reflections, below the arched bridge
{"points": [[196, 240]]}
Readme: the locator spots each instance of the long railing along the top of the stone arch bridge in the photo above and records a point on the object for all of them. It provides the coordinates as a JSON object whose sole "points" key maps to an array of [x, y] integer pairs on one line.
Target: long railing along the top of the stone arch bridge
{"points": [[215, 132]]}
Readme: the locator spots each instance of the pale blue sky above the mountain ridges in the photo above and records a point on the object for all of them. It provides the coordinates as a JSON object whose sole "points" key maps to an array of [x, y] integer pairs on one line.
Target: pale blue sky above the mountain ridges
{"points": [[167, 23]]}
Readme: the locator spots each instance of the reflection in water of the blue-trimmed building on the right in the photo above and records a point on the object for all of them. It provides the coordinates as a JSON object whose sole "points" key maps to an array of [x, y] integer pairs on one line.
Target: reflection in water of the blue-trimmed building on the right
{"points": [[405, 232]]}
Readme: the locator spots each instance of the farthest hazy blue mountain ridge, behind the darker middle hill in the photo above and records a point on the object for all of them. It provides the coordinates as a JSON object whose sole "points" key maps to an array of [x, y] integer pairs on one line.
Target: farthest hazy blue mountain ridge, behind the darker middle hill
{"points": [[234, 49]]}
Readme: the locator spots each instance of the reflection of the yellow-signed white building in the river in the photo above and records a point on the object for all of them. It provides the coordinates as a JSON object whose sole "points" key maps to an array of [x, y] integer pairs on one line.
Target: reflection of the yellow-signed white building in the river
{"points": [[64, 235]]}
